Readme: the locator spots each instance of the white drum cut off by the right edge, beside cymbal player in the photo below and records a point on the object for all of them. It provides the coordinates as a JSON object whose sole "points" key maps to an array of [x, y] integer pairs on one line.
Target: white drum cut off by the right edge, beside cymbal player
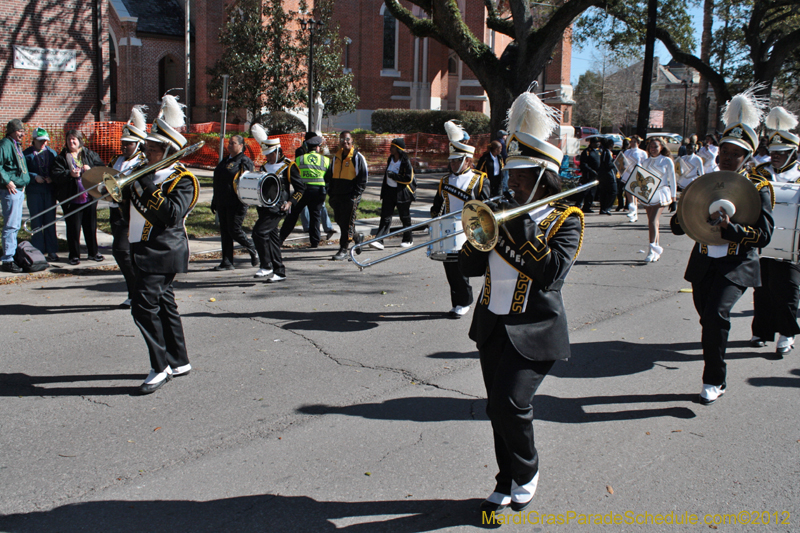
{"points": [[784, 243]]}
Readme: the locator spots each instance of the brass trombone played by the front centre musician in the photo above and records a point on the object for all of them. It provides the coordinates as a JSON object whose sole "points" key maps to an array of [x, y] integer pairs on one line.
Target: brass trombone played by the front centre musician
{"points": [[478, 221]]}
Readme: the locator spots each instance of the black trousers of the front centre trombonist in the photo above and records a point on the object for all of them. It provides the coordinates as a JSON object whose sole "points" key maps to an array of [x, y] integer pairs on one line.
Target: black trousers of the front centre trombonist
{"points": [[511, 382]]}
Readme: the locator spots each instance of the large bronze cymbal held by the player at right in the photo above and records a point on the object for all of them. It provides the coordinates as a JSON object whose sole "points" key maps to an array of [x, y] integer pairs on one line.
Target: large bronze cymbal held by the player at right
{"points": [[708, 188]]}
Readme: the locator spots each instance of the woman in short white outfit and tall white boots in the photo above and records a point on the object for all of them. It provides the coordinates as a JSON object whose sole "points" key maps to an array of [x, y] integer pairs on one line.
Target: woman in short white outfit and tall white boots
{"points": [[659, 161]]}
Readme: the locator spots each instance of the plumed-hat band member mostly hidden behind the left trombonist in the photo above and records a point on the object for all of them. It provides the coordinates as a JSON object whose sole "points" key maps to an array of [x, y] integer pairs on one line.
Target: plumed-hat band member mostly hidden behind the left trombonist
{"points": [[133, 137]]}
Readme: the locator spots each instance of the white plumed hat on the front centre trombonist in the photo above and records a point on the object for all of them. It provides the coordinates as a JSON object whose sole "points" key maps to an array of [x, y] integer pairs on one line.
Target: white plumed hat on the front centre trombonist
{"points": [[530, 123]]}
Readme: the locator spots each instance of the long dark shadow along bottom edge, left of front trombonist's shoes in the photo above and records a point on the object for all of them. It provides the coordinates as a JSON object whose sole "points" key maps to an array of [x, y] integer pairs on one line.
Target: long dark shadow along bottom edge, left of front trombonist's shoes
{"points": [[250, 514]]}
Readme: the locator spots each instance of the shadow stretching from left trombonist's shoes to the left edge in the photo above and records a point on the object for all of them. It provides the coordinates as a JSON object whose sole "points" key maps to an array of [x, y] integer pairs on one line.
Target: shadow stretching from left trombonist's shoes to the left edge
{"points": [[24, 385]]}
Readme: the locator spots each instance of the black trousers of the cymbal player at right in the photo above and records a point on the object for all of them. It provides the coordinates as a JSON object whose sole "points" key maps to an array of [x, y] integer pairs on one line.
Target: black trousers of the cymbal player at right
{"points": [[714, 297]]}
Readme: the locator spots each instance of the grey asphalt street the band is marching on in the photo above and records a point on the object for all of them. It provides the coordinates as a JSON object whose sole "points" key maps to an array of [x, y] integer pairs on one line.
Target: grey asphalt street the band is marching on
{"points": [[348, 400]]}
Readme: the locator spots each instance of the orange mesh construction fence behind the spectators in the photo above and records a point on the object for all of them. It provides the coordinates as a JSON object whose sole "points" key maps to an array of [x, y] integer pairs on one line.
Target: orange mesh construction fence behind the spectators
{"points": [[427, 151]]}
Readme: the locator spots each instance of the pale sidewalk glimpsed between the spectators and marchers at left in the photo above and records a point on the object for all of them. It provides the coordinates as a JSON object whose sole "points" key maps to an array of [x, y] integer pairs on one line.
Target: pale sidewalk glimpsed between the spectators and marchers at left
{"points": [[420, 211]]}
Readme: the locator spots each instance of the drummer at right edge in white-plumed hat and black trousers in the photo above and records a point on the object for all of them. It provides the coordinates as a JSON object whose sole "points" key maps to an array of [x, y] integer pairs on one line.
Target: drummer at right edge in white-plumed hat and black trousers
{"points": [[775, 302]]}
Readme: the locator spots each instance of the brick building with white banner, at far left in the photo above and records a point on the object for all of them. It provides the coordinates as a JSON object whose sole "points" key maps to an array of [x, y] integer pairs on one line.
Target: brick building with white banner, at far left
{"points": [[54, 61]]}
